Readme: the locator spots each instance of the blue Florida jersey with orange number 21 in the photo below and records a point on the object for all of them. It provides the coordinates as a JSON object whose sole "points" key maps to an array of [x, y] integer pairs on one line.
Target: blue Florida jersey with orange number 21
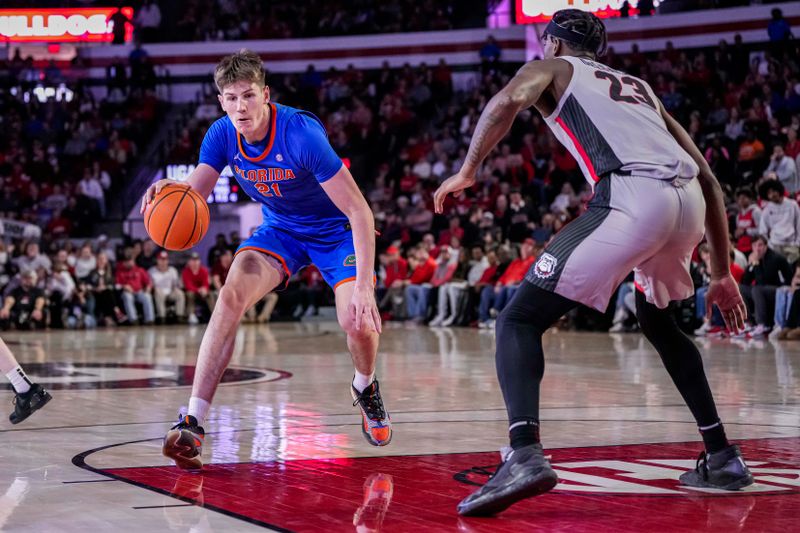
{"points": [[283, 172]]}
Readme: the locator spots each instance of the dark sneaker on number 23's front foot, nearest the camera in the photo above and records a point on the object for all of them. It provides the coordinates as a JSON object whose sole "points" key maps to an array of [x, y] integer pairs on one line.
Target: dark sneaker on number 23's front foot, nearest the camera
{"points": [[524, 474]]}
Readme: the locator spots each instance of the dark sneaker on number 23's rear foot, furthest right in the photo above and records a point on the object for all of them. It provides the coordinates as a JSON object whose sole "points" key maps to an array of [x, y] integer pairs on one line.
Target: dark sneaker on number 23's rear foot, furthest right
{"points": [[724, 469]]}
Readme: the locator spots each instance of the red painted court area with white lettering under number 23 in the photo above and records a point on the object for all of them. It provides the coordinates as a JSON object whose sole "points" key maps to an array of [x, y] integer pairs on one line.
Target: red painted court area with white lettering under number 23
{"points": [[613, 488]]}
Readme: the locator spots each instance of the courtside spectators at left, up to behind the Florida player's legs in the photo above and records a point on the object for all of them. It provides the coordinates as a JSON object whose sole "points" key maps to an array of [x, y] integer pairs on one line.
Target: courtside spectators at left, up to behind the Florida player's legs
{"points": [[90, 283]]}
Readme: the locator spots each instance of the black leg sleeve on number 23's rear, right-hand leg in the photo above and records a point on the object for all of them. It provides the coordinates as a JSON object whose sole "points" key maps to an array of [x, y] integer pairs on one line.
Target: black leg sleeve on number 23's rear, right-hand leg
{"points": [[685, 366]]}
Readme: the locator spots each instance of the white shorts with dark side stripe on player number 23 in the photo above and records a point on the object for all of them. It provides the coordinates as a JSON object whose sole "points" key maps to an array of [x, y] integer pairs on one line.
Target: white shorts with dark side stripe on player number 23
{"points": [[634, 223]]}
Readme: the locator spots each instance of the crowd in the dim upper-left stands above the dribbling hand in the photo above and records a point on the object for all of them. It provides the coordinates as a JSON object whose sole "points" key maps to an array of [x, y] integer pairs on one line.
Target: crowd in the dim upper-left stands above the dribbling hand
{"points": [[63, 155]]}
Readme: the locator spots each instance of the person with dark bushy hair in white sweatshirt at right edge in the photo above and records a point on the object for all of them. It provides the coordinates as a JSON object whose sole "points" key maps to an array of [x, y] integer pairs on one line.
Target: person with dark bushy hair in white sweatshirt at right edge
{"points": [[780, 220]]}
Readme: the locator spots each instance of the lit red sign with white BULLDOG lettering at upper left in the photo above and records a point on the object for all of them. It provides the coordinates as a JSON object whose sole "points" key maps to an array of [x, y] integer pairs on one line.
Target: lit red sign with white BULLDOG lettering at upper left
{"points": [[61, 25]]}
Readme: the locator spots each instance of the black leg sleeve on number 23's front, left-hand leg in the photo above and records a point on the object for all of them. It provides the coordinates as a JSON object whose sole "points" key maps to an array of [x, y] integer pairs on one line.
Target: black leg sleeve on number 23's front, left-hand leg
{"points": [[520, 359]]}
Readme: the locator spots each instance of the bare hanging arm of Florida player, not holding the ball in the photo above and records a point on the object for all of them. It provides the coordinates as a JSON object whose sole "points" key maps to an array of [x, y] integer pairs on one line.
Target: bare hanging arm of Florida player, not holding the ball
{"points": [[345, 194]]}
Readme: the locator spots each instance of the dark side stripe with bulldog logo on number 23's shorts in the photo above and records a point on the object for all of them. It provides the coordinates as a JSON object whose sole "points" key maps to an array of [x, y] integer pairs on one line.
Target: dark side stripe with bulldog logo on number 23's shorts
{"points": [[573, 234]]}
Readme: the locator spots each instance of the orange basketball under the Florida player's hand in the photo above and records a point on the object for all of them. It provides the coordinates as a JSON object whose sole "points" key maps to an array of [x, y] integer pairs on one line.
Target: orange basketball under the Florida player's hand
{"points": [[177, 218]]}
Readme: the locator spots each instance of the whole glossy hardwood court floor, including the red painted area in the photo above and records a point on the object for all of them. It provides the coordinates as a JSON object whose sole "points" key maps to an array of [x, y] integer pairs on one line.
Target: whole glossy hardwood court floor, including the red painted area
{"points": [[285, 452]]}
